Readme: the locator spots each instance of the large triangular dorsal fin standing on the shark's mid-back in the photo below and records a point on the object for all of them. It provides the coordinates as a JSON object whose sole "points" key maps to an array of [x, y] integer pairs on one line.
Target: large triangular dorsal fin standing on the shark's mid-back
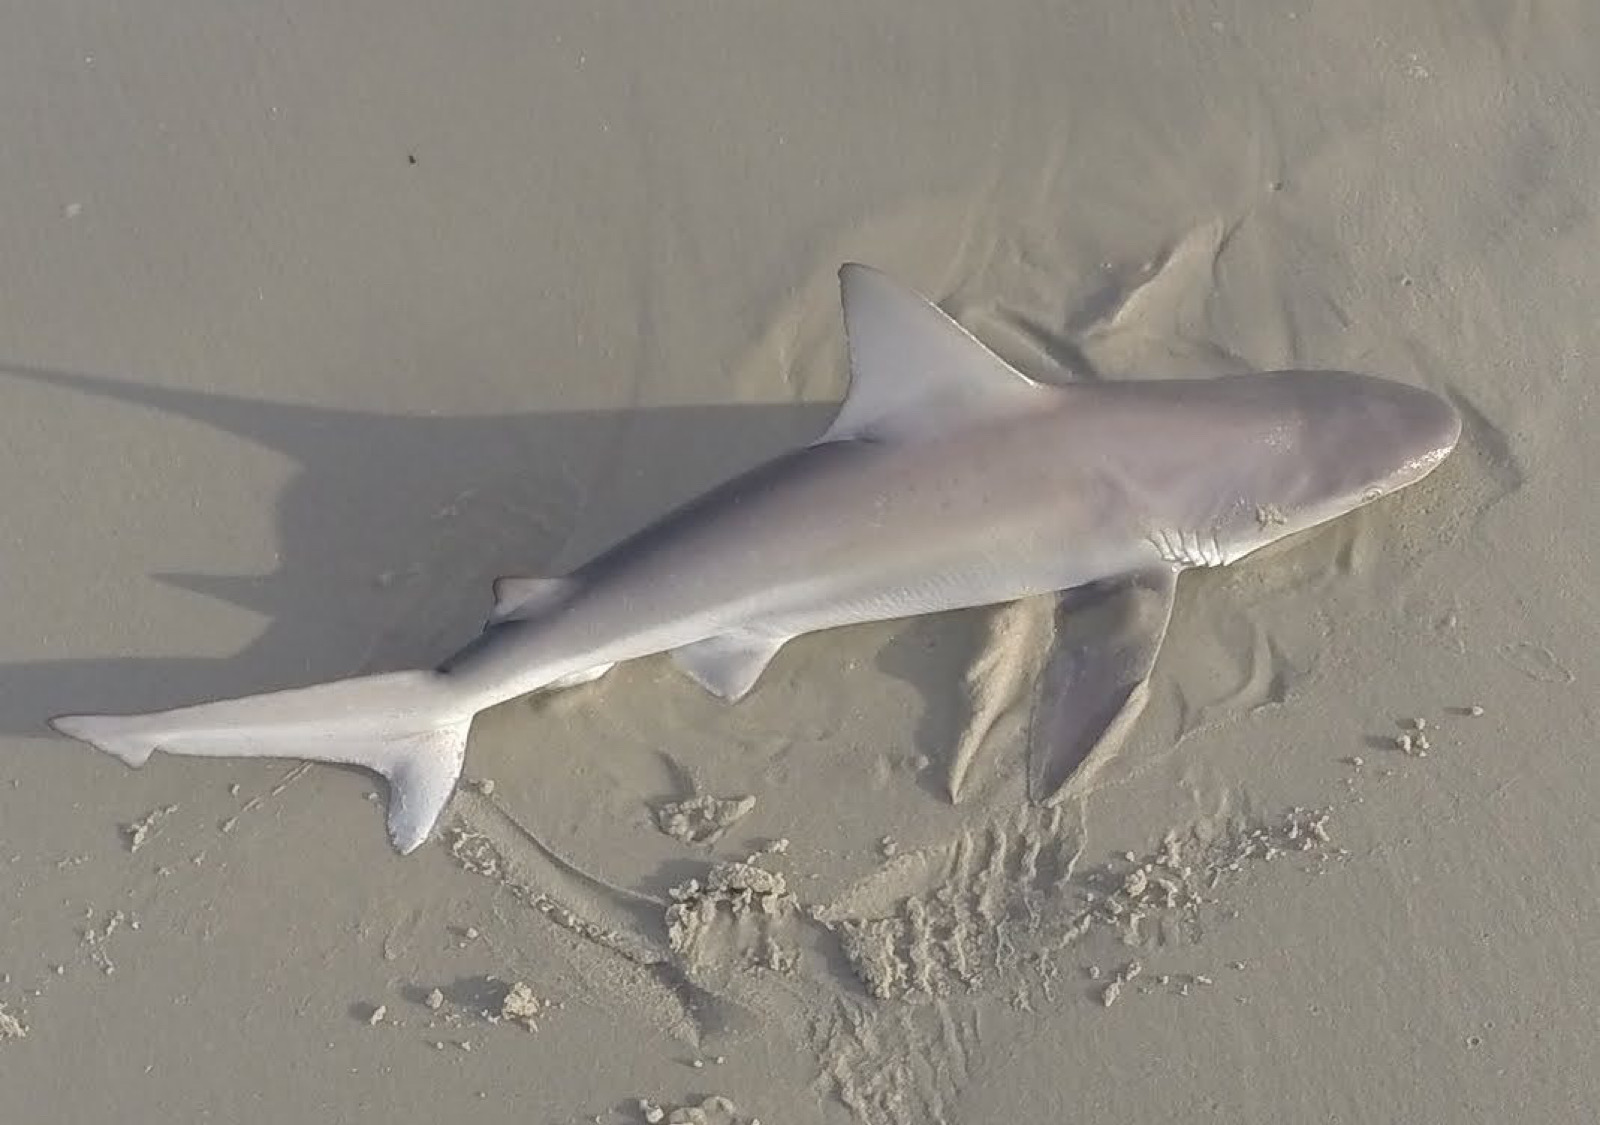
{"points": [[913, 369]]}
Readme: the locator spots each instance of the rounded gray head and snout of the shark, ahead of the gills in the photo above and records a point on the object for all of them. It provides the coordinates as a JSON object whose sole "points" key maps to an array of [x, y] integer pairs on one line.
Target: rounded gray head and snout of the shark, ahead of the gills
{"points": [[1338, 442]]}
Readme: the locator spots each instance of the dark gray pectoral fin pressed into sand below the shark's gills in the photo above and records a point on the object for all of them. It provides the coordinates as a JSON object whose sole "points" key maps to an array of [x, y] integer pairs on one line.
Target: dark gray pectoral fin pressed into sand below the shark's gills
{"points": [[1097, 679]]}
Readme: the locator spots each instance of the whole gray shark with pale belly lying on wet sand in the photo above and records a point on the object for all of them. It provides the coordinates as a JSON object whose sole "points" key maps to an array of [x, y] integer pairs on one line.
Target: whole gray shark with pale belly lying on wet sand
{"points": [[946, 481]]}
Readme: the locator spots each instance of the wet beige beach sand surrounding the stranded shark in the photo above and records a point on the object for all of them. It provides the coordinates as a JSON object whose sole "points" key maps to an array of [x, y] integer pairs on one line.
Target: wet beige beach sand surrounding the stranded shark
{"points": [[314, 319]]}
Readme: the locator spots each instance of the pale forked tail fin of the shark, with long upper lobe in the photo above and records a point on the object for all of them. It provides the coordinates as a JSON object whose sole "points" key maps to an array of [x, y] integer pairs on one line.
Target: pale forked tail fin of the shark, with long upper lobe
{"points": [[410, 727]]}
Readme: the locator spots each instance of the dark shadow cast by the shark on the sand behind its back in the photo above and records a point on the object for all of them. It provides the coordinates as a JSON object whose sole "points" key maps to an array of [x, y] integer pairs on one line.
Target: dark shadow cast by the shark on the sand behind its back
{"points": [[394, 527]]}
